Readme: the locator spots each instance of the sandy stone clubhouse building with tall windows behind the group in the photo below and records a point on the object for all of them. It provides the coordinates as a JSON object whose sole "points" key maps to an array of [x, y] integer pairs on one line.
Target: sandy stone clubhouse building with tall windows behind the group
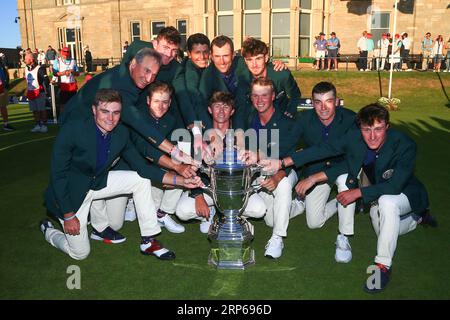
{"points": [[288, 26]]}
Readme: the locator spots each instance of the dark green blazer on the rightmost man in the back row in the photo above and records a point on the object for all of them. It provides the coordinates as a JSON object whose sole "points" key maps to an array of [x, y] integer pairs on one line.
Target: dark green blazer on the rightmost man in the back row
{"points": [[287, 93]]}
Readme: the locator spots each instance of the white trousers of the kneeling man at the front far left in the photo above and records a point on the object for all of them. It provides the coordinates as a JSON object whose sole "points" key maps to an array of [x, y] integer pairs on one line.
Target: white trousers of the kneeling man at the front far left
{"points": [[119, 183]]}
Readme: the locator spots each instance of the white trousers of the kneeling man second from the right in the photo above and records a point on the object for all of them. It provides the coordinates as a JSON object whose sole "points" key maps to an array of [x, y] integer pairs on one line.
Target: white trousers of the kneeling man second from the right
{"points": [[318, 210]]}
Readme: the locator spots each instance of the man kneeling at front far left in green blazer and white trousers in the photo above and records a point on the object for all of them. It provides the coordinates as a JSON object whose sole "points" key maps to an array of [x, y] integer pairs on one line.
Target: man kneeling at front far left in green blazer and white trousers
{"points": [[83, 154]]}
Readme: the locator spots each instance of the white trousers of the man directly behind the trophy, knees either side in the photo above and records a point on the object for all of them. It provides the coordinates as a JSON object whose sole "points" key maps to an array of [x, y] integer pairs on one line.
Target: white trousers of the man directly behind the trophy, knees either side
{"points": [[186, 207]]}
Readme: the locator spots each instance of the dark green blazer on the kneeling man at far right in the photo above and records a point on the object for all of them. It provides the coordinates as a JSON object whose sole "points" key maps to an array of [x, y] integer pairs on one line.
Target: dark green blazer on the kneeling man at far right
{"points": [[394, 166]]}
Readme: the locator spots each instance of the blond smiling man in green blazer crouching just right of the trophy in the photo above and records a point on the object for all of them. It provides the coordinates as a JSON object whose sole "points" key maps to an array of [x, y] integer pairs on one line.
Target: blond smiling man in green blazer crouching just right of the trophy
{"points": [[268, 124]]}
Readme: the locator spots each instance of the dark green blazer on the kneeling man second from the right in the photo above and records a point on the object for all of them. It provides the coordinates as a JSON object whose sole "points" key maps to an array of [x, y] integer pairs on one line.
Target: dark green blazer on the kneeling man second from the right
{"points": [[308, 129]]}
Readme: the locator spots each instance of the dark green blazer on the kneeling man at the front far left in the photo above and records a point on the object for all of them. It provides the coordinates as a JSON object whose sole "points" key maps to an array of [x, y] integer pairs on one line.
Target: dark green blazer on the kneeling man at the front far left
{"points": [[73, 164]]}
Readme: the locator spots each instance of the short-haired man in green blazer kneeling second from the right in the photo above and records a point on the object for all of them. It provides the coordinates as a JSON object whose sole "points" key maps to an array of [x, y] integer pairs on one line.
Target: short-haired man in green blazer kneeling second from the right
{"points": [[324, 124]]}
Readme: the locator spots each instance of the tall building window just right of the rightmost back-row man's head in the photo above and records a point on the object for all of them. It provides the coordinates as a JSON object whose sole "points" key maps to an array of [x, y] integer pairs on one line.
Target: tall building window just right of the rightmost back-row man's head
{"points": [[280, 30]]}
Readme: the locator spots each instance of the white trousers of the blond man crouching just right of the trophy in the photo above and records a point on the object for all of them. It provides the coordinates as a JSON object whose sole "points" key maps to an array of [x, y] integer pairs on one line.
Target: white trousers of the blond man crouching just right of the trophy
{"points": [[278, 204]]}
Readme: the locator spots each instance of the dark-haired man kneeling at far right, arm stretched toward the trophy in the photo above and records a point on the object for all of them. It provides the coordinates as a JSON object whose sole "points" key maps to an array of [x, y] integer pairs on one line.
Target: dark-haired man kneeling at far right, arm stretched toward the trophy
{"points": [[399, 201]]}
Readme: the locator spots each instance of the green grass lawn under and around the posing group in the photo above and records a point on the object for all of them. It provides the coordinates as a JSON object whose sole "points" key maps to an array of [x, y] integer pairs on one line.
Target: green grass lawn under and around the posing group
{"points": [[32, 269]]}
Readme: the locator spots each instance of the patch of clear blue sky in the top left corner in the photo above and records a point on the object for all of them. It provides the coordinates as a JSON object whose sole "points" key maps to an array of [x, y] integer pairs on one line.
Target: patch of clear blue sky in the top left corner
{"points": [[9, 31]]}
